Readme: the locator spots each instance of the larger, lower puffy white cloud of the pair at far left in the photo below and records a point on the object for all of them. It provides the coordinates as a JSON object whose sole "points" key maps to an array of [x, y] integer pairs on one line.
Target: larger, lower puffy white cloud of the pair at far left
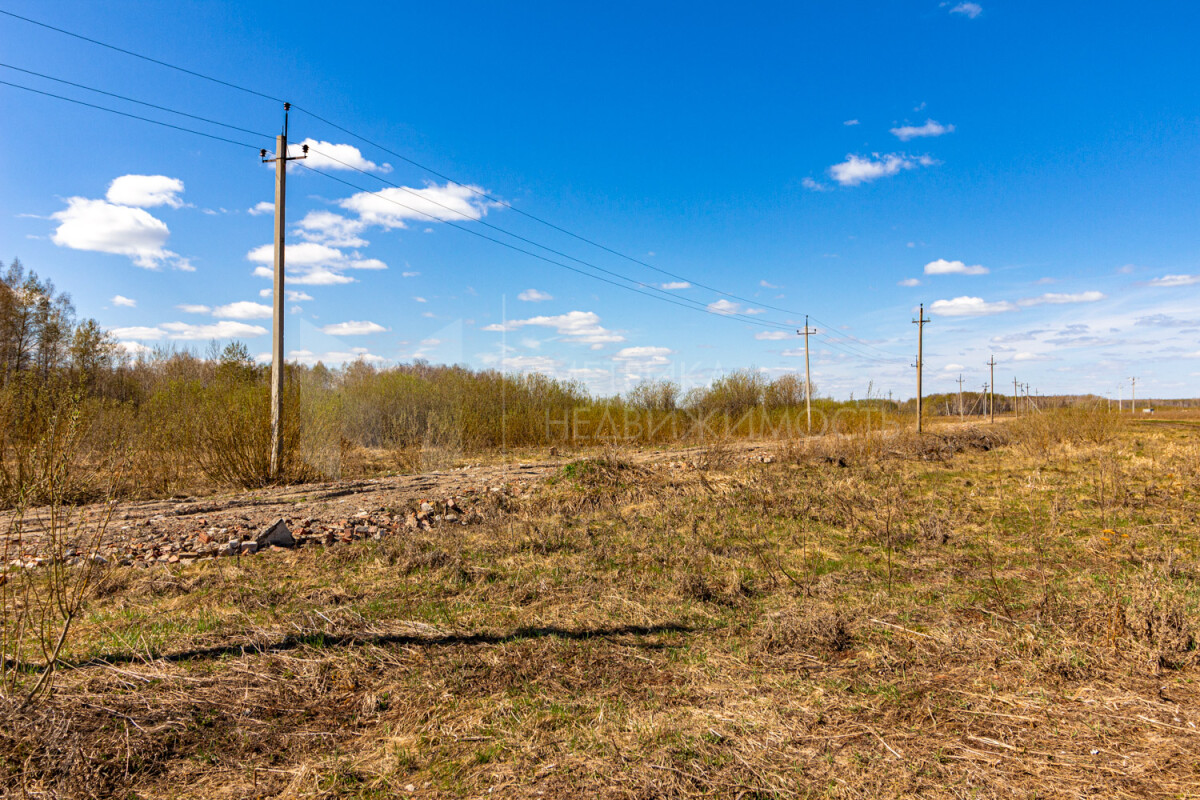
{"points": [[103, 227]]}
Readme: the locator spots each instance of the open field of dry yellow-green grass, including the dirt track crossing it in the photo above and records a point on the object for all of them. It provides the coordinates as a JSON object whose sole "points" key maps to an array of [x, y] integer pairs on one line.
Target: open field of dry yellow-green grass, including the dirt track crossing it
{"points": [[985, 612]]}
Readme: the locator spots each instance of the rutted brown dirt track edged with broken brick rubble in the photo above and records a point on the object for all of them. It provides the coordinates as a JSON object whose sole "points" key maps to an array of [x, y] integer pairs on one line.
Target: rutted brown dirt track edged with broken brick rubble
{"points": [[173, 531]]}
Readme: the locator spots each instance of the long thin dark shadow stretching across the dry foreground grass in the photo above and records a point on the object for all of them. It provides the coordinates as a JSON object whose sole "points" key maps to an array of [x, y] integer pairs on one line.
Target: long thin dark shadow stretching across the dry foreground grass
{"points": [[326, 641]]}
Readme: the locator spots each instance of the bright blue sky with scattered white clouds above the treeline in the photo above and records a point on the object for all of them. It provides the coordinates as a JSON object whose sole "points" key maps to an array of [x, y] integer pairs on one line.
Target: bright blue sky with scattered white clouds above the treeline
{"points": [[1028, 171]]}
